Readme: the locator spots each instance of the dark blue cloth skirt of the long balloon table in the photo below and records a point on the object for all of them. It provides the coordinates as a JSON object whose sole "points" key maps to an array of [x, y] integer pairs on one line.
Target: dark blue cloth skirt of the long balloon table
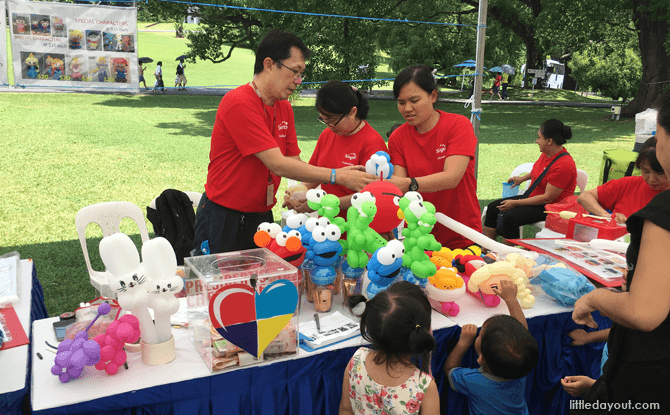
{"points": [[313, 385]]}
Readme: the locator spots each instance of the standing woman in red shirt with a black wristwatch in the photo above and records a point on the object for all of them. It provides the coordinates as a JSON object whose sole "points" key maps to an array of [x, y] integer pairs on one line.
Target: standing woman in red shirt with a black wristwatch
{"points": [[433, 153]]}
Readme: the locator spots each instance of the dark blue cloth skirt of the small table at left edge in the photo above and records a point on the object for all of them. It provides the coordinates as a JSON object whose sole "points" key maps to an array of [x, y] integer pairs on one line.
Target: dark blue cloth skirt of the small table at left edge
{"points": [[12, 403]]}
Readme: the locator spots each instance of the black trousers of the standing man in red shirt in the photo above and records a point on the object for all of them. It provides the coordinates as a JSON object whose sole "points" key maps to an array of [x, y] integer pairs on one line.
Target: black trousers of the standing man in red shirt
{"points": [[225, 230]]}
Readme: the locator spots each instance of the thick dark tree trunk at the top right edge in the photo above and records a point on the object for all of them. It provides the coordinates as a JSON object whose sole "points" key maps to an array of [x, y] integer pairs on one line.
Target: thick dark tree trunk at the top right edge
{"points": [[655, 60]]}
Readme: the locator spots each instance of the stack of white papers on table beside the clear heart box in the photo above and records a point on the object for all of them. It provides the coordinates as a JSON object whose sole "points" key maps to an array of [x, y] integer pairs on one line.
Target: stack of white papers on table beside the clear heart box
{"points": [[335, 327]]}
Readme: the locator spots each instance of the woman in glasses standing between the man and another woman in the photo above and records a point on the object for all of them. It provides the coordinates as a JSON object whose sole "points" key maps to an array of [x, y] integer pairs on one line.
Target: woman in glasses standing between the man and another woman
{"points": [[348, 139]]}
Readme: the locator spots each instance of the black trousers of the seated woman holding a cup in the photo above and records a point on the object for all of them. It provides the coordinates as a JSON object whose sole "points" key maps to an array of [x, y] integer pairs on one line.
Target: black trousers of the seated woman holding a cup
{"points": [[512, 219]]}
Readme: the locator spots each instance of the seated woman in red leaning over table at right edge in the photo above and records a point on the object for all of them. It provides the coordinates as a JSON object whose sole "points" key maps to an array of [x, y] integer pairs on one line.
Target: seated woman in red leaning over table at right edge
{"points": [[627, 195]]}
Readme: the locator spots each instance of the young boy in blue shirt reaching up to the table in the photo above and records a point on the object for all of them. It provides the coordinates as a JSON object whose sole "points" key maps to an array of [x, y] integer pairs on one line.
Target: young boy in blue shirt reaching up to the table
{"points": [[507, 353]]}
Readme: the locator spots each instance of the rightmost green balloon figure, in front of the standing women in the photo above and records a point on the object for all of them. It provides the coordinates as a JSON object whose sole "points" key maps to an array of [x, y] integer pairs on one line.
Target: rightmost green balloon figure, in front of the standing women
{"points": [[420, 219]]}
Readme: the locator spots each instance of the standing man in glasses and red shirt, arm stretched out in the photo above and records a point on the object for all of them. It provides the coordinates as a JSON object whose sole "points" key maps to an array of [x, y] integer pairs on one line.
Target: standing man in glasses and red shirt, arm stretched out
{"points": [[253, 145]]}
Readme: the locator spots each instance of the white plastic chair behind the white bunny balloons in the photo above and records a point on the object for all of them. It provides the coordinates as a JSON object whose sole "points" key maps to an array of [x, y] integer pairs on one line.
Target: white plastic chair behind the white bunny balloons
{"points": [[108, 216]]}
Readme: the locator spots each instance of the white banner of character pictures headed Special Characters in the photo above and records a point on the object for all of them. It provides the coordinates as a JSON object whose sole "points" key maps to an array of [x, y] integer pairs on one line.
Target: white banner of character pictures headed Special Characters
{"points": [[72, 45]]}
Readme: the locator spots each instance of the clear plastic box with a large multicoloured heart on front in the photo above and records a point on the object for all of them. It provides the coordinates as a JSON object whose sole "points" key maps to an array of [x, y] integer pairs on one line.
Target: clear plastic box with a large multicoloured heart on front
{"points": [[256, 269]]}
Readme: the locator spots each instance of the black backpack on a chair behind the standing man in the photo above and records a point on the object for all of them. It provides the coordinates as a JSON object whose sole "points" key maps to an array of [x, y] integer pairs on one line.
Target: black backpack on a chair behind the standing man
{"points": [[174, 220]]}
